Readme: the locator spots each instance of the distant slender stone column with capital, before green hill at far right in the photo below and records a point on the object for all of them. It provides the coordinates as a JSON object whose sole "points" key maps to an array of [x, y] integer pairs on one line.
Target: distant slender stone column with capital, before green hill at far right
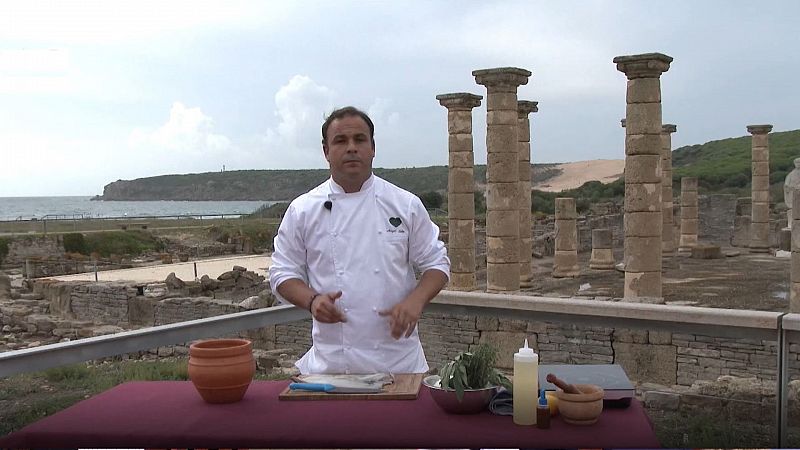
{"points": [[759, 216]]}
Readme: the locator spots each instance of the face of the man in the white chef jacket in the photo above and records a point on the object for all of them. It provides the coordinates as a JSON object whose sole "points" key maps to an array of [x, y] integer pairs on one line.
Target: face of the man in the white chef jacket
{"points": [[349, 150]]}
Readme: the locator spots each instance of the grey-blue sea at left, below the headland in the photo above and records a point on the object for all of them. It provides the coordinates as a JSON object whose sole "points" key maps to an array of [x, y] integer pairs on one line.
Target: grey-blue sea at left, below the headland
{"points": [[40, 208]]}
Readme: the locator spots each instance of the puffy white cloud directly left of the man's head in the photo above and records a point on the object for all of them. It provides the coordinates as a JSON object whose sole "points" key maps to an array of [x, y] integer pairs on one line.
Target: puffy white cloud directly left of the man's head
{"points": [[300, 106]]}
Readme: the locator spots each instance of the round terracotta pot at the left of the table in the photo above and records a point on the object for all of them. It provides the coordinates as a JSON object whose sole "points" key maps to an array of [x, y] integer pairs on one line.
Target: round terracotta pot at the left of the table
{"points": [[221, 369]]}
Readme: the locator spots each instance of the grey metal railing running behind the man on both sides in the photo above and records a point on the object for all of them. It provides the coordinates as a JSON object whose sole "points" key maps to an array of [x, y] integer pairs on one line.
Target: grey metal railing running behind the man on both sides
{"points": [[780, 327]]}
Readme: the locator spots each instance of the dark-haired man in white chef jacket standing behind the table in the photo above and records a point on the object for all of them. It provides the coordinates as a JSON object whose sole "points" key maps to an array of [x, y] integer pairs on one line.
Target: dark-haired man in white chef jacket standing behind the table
{"points": [[347, 251]]}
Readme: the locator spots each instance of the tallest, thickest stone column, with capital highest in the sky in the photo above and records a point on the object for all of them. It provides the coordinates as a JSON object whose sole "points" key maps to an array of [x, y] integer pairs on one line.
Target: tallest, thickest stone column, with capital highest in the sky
{"points": [[643, 218]]}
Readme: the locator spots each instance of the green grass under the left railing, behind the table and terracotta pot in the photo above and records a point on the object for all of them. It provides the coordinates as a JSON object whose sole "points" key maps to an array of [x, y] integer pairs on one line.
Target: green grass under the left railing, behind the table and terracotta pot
{"points": [[29, 397]]}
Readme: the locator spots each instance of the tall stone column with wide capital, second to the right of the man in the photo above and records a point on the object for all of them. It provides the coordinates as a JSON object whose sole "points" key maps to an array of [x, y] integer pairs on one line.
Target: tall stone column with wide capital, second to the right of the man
{"points": [[502, 176]]}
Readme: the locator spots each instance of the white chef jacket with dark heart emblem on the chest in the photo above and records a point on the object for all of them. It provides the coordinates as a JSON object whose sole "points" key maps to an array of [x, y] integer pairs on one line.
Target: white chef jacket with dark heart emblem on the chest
{"points": [[366, 245]]}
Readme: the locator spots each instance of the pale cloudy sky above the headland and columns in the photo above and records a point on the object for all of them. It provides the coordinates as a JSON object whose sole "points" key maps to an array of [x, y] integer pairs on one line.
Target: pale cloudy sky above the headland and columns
{"points": [[92, 91]]}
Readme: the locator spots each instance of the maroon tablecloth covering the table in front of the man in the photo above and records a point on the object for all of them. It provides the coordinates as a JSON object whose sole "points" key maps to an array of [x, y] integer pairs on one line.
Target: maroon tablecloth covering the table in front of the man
{"points": [[172, 414]]}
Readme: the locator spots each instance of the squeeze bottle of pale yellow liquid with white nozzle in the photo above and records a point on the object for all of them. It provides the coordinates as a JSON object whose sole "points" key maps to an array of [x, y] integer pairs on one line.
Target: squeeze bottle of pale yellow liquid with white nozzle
{"points": [[526, 385]]}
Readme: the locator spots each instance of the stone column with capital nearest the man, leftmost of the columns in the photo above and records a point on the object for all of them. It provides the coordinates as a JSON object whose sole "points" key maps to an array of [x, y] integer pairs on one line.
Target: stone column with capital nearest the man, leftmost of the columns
{"points": [[460, 189]]}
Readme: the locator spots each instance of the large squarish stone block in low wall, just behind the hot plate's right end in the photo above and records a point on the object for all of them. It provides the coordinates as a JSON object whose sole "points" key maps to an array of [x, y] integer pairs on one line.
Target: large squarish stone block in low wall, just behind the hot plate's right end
{"points": [[642, 362]]}
